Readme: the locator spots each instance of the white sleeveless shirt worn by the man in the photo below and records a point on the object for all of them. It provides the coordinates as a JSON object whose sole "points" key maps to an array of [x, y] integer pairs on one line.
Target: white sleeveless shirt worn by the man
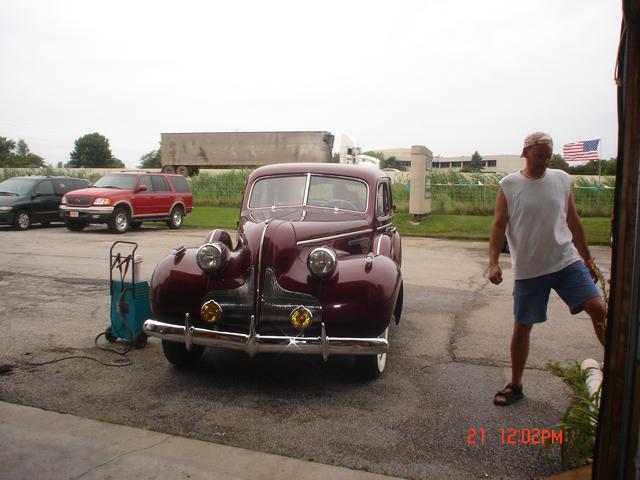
{"points": [[540, 241]]}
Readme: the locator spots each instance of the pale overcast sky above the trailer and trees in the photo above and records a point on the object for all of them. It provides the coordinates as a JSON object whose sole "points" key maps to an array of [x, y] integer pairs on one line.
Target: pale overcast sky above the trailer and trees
{"points": [[455, 76]]}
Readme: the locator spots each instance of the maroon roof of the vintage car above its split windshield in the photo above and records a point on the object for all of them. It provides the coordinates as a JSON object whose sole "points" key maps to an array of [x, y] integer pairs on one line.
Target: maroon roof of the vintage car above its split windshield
{"points": [[369, 174]]}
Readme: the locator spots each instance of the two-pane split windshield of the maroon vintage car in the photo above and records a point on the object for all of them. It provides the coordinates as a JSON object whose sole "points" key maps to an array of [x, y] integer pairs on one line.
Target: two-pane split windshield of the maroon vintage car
{"points": [[324, 191]]}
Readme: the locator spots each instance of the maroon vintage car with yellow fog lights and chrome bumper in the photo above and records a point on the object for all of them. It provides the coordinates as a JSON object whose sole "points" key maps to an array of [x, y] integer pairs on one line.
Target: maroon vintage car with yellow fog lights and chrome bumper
{"points": [[315, 269]]}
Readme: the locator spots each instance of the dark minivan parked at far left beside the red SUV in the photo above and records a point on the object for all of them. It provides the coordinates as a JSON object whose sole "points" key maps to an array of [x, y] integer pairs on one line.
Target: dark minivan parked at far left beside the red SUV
{"points": [[34, 199]]}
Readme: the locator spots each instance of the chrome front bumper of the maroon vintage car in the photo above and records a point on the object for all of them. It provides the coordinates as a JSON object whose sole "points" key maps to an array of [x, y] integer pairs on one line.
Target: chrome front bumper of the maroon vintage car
{"points": [[253, 343]]}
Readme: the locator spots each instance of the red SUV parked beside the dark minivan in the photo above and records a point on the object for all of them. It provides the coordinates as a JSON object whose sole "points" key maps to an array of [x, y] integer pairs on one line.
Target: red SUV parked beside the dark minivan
{"points": [[125, 200]]}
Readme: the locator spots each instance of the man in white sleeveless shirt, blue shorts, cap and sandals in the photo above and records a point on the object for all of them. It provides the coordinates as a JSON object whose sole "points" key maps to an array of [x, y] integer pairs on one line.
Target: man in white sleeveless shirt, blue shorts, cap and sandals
{"points": [[537, 213]]}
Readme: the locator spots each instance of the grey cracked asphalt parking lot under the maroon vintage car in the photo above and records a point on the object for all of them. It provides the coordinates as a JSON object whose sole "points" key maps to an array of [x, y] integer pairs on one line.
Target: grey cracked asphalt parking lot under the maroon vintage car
{"points": [[448, 357]]}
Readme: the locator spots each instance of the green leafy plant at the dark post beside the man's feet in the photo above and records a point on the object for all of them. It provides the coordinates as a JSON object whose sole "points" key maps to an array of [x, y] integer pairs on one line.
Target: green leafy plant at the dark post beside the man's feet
{"points": [[580, 421]]}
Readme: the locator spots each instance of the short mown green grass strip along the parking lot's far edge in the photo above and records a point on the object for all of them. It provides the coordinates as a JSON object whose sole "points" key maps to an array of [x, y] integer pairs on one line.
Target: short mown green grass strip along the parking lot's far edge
{"points": [[463, 227]]}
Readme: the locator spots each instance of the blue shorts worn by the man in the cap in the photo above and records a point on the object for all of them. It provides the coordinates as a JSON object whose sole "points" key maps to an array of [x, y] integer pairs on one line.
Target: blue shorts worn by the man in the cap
{"points": [[531, 296]]}
